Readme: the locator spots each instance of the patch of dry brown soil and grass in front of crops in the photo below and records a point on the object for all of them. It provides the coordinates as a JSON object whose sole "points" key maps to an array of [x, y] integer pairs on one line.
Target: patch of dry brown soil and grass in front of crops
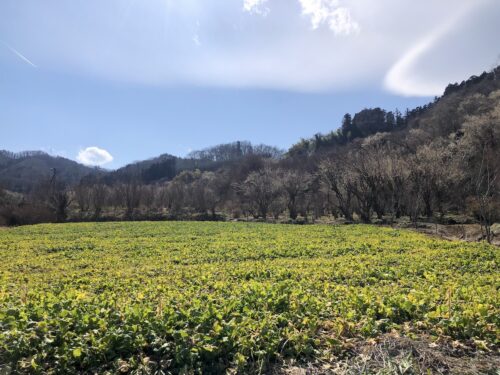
{"points": [[391, 354]]}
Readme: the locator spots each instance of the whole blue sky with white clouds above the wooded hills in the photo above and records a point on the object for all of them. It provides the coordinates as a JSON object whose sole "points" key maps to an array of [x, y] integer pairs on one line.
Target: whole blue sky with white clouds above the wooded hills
{"points": [[111, 82]]}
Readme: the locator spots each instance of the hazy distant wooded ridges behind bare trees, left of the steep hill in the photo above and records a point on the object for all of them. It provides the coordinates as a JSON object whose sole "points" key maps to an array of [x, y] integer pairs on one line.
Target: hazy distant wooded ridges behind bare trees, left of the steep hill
{"points": [[22, 172]]}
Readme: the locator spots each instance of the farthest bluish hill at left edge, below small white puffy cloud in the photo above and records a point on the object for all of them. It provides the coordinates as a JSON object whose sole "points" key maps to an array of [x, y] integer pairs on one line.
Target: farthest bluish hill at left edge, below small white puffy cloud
{"points": [[21, 172]]}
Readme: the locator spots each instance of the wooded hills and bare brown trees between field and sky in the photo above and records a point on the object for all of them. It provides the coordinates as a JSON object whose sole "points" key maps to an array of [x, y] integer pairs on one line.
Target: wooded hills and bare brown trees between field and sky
{"points": [[378, 166]]}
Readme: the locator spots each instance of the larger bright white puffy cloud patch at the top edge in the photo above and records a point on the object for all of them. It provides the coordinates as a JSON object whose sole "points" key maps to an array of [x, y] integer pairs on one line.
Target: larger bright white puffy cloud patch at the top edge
{"points": [[329, 12]]}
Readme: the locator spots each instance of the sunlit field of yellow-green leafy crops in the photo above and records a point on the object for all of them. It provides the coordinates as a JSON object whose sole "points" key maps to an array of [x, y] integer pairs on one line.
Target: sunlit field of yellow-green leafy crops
{"points": [[206, 297]]}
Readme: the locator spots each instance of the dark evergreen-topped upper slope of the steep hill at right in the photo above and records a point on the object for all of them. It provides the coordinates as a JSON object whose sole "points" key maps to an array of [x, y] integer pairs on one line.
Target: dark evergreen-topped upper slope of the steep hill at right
{"points": [[440, 118]]}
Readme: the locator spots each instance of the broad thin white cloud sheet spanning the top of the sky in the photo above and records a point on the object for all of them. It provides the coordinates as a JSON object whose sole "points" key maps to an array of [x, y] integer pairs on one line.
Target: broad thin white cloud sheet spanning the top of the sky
{"points": [[297, 48]]}
